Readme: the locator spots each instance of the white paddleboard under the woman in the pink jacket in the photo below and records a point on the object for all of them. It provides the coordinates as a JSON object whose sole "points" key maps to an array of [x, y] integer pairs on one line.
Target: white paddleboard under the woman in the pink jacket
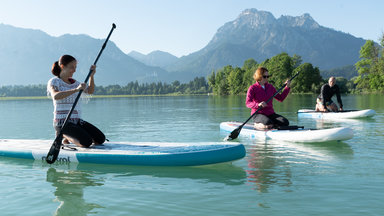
{"points": [[297, 135]]}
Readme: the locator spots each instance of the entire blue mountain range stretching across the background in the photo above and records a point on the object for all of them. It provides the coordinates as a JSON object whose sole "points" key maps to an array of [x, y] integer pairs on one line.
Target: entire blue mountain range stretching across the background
{"points": [[26, 55]]}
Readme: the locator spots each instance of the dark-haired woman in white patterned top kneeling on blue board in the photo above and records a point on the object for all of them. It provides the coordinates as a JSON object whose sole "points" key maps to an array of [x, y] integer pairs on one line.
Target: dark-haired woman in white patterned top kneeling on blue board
{"points": [[62, 88]]}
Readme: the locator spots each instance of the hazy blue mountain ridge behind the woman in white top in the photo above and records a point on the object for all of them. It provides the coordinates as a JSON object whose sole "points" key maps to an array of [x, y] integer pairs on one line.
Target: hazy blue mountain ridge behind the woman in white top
{"points": [[26, 57]]}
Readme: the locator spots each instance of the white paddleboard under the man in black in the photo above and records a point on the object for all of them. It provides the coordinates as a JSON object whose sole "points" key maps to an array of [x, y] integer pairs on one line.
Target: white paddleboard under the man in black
{"points": [[346, 114]]}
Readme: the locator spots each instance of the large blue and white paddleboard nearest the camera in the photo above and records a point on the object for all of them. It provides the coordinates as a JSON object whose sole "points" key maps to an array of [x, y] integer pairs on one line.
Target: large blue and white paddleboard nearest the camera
{"points": [[129, 153]]}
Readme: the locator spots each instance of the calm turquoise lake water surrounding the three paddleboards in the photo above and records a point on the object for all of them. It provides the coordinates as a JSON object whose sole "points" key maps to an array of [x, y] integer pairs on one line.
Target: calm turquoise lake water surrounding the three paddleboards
{"points": [[345, 178]]}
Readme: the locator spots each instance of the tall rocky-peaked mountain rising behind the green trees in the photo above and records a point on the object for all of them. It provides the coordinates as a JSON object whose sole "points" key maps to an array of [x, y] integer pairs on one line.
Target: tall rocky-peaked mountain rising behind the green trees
{"points": [[259, 35]]}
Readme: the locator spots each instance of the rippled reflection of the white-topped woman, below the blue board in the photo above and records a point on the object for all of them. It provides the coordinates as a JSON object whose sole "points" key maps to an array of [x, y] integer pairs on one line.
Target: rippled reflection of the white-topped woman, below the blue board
{"points": [[69, 192]]}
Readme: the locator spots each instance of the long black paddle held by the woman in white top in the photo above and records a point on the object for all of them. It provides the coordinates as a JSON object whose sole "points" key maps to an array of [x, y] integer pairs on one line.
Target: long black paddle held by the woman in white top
{"points": [[55, 148]]}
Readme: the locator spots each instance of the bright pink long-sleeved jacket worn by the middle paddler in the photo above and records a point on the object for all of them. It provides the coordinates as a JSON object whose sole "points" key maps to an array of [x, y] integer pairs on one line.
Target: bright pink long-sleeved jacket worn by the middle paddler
{"points": [[256, 94]]}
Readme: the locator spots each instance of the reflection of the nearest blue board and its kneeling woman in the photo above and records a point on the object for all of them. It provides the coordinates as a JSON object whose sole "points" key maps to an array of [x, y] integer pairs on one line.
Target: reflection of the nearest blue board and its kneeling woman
{"points": [[70, 184]]}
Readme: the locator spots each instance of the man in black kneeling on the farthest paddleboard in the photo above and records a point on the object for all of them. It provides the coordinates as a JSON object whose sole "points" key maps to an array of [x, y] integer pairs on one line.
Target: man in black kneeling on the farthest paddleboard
{"points": [[324, 101]]}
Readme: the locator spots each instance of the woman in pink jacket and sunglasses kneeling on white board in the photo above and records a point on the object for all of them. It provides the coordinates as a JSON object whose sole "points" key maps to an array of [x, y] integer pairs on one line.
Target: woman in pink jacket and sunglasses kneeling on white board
{"points": [[257, 96]]}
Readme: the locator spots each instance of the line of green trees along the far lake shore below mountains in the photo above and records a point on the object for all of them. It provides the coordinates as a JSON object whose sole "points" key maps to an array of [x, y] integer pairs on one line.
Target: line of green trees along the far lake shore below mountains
{"points": [[236, 80]]}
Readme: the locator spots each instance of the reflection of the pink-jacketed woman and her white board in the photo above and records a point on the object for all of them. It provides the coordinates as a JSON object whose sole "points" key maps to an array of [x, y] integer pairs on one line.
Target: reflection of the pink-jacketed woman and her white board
{"points": [[271, 163]]}
